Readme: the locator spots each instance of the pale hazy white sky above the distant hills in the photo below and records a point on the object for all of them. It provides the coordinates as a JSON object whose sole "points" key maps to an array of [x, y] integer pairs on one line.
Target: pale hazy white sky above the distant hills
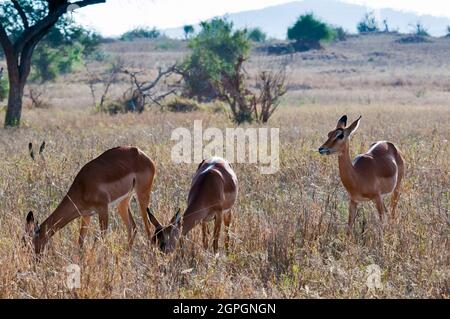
{"points": [[118, 16]]}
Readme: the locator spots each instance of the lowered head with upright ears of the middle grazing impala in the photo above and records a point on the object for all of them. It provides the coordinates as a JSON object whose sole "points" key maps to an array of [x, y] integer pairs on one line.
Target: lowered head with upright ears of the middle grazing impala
{"points": [[166, 238]]}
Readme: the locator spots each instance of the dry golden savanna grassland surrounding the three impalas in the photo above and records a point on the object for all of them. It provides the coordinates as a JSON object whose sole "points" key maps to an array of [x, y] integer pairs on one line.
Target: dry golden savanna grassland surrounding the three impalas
{"points": [[289, 229]]}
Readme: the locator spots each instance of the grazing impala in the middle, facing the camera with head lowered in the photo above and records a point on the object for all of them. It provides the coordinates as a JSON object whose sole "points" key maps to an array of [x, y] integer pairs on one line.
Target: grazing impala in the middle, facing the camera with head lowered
{"points": [[213, 193]]}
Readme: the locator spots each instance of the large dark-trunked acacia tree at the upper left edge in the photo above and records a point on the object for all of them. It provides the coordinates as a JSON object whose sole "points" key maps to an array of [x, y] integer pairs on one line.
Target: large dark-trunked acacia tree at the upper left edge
{"points": [[18, 47]]}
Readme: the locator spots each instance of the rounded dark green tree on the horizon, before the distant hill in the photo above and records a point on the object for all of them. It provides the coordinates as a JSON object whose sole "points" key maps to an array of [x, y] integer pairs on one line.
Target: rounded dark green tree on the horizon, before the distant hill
{"points": [[310, 31]]}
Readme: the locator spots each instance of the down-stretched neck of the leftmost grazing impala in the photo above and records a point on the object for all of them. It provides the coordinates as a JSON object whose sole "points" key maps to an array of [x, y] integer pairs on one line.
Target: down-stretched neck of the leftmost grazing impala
{"points": [[63, 214]]}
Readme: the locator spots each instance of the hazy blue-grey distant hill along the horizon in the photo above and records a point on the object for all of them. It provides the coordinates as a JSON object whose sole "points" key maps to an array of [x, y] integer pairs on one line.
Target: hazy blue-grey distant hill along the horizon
{"points": [[275, 20]]}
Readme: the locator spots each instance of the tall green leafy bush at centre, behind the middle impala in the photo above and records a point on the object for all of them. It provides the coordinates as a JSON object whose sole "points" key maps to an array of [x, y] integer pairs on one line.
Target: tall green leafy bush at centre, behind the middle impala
{"points": [[215, 51]]}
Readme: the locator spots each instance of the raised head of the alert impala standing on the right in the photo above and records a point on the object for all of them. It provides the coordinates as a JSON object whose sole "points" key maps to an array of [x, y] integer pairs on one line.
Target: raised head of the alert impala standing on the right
{"points": [[338, 138]]}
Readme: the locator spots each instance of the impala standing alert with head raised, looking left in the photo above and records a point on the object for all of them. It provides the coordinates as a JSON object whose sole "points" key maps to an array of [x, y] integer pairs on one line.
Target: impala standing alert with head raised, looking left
{"points": [[370, 176]]}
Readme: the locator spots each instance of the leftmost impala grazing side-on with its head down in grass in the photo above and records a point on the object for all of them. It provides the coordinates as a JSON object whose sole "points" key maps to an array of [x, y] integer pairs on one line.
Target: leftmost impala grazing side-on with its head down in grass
{"points": [[111, 178]]}
